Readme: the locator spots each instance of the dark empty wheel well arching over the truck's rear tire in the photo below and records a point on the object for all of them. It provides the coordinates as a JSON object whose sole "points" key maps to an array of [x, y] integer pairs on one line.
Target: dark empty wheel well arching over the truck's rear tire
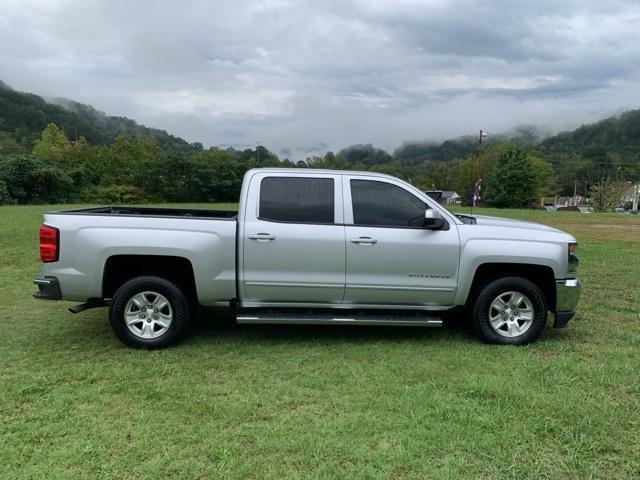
{"points": [[121, 268]]}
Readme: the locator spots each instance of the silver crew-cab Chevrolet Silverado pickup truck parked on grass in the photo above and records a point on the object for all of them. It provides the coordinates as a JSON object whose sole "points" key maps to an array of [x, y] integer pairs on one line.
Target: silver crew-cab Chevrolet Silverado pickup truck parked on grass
{"points": [[310, 247]]}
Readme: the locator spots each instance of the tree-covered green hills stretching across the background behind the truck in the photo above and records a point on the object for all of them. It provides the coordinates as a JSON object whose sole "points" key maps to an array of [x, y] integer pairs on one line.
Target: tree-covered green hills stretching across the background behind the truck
{"points": [[67, 151]]}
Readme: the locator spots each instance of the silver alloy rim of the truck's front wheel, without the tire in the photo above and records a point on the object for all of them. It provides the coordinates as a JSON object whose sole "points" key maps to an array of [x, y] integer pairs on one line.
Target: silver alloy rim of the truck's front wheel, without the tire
{"points": [[511, 314]]}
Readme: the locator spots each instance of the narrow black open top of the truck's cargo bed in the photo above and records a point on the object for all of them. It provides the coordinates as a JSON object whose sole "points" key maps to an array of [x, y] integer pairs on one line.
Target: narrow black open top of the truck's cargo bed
{"points": [[133, 211]]}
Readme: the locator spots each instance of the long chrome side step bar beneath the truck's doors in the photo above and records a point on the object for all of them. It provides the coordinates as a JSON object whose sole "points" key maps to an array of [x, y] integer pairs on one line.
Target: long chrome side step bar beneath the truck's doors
{"points": [[334, 319]]}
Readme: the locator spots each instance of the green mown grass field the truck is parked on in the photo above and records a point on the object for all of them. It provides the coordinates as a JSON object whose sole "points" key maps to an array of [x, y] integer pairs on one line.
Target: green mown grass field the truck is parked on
{"points": [[270, 402]]}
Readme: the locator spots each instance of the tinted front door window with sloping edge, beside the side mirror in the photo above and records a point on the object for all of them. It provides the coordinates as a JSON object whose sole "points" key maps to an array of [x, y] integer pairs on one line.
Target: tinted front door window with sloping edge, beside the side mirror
{"points": [[386, 205]]}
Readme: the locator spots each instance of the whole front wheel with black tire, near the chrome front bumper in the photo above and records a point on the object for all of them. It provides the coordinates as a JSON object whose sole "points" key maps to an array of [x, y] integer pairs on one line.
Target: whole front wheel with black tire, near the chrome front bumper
{"points": [[507, 330]]}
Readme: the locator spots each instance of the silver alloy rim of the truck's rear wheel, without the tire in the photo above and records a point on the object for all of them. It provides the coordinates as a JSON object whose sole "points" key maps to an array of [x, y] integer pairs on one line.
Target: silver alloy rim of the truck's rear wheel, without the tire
{"points": [[148, 314]]}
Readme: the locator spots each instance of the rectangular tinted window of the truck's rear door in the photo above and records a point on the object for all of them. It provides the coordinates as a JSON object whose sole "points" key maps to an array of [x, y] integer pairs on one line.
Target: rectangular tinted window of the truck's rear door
{"points": [[297, 199]]}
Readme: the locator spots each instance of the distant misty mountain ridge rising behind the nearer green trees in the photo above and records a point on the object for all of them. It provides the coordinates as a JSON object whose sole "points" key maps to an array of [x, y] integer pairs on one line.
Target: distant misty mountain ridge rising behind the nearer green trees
{"points": [[24, 115]]}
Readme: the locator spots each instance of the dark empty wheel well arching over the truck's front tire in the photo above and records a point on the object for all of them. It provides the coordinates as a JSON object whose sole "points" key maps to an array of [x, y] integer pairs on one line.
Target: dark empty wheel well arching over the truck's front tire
{"points": [[543, 277]]}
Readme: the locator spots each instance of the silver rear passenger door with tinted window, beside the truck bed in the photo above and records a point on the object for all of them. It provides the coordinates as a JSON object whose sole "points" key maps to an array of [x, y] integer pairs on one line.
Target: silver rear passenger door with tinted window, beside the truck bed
{"points": [[293, 241]]}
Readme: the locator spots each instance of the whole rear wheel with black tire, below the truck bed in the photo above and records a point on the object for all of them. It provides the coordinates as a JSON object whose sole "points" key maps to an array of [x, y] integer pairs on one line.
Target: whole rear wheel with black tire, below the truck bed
{"points": [[176, 317]]}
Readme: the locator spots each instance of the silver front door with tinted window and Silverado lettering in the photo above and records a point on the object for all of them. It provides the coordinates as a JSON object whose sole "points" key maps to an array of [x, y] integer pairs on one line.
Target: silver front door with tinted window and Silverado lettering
{"points": [[391, 258]]}
